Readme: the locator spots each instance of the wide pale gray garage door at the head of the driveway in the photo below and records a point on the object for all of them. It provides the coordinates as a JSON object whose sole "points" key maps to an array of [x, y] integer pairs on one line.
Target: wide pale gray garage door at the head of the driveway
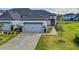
{"points": [[33, 27]]}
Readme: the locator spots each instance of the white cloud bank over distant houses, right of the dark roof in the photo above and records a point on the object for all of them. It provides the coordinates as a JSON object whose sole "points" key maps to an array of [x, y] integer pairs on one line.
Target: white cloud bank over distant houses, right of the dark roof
{"points": [[63, 10]]}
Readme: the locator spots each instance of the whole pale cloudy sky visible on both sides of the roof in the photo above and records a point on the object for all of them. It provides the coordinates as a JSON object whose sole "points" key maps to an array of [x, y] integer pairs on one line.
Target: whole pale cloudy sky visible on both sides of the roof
{"points": [[54, 10]]}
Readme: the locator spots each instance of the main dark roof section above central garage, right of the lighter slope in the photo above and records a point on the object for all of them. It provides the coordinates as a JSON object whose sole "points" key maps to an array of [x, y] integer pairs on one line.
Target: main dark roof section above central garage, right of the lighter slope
{"points": [[28, 13]]}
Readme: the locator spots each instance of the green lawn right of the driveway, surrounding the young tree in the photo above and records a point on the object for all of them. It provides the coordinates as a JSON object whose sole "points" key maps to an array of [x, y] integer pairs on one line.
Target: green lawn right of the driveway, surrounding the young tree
{"points": [[50, 42]]}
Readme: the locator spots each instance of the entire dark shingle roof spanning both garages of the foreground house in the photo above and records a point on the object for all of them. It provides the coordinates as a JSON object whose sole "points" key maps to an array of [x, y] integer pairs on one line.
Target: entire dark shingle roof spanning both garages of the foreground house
{"points": [[18, 13]]}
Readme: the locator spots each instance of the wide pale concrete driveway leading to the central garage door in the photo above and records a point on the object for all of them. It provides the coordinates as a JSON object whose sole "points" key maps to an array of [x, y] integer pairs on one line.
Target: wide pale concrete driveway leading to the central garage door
{"points": [[23, 41]]}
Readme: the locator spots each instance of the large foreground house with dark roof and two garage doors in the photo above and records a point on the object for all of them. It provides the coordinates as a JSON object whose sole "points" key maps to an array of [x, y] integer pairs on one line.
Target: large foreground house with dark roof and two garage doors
{"points": [[29, 20]]}
